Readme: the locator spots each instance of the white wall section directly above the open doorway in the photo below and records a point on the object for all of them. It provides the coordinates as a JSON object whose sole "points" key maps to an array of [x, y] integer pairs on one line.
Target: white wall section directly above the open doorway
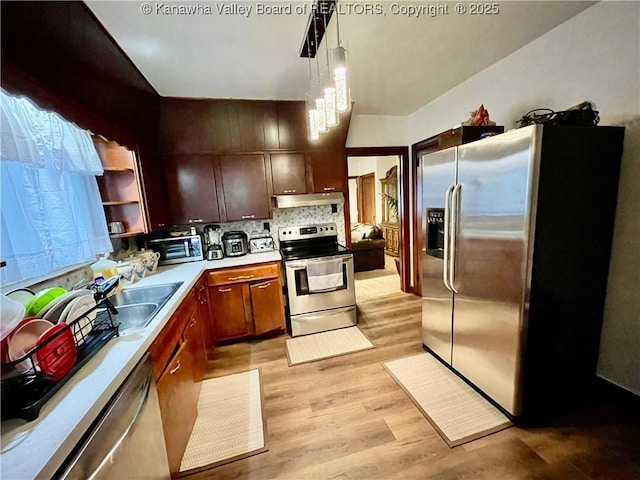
{"points": [[377, 131]]}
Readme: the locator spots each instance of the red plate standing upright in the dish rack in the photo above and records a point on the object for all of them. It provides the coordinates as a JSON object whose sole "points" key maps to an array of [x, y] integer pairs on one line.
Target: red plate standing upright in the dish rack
{"points": [[56, 357]]}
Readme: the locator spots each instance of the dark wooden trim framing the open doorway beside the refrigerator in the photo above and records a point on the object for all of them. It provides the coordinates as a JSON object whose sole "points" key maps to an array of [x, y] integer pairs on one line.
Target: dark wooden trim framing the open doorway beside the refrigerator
{"points": [[403, 207]]}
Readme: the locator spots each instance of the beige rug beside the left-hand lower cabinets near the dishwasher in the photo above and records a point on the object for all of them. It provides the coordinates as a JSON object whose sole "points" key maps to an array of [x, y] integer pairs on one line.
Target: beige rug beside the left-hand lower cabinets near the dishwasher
{"points": [[230, 422]]}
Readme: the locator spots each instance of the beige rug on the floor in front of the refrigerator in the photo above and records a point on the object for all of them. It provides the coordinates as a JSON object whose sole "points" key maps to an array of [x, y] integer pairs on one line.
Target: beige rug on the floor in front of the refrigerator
{"points": [[456, 411]]}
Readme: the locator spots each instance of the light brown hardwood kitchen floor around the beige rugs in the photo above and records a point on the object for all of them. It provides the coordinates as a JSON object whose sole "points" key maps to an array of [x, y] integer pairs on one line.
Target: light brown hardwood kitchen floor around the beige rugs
{"points": [[346, 418]]}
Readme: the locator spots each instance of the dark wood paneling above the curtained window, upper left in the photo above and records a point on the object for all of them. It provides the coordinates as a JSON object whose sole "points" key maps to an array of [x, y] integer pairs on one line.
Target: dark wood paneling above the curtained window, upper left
{"points": [[58, 54]]}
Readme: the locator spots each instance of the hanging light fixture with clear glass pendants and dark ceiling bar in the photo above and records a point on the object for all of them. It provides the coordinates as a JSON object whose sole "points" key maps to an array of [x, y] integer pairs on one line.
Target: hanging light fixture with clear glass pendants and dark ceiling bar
{"points": [[328, 93]]}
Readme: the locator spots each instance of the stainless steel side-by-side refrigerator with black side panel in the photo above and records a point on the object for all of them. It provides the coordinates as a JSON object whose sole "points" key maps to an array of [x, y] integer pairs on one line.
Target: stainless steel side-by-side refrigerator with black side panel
{"points": [[517, 233]]}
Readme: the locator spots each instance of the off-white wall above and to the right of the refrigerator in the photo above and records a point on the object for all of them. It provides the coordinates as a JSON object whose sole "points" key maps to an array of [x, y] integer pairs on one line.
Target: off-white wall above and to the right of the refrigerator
{"points": [[593, 56]]}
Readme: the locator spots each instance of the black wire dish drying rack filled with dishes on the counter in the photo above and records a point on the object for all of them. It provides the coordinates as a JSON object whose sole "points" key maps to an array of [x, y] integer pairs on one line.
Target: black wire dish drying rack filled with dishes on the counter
{"points": [[27, 389]]}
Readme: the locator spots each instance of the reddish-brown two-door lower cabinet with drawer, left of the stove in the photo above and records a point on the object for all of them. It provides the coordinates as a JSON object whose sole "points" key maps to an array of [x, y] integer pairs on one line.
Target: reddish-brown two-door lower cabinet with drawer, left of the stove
{"points": [[246, 301]]}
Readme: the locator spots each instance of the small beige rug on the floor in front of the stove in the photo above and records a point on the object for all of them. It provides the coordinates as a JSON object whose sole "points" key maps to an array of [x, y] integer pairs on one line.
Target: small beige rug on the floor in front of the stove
{"points": [[320, 346]]}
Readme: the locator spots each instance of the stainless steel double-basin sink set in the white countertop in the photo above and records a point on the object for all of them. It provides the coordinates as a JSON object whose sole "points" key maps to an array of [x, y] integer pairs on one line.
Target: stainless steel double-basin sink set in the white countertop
{"points": [[138, 306]]}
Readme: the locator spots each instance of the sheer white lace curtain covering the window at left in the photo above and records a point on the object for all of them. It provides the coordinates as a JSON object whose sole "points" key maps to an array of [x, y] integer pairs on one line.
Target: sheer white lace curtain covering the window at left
{"points": [[50, 205]]}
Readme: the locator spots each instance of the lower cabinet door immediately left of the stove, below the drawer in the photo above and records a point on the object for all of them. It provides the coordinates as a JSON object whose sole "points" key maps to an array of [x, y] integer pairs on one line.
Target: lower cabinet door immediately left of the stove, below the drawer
{"points": [[267, 306]]}
